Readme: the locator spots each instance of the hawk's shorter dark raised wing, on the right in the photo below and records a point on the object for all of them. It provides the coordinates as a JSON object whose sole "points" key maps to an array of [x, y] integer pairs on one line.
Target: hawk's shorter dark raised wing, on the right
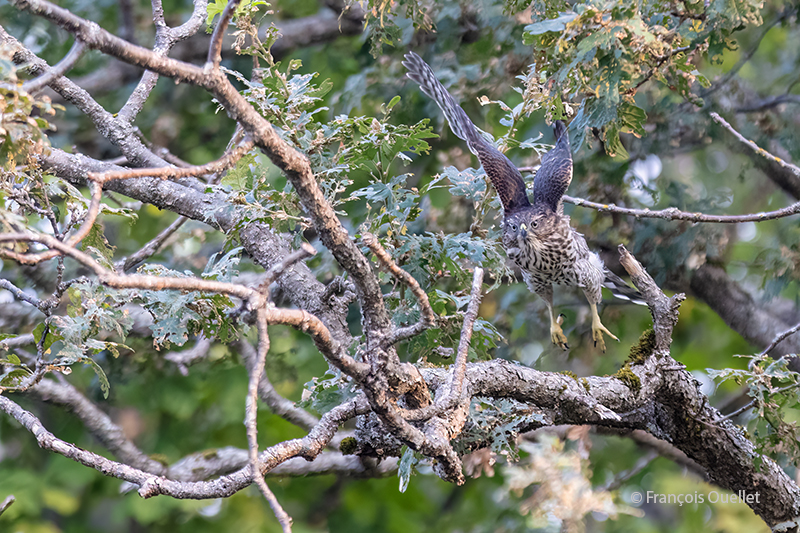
{"points": [[555, 174]]}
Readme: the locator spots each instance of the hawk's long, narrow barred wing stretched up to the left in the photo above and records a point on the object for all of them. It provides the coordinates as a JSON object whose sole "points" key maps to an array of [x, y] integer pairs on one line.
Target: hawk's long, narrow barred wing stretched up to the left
{"points": [[504, 175]]}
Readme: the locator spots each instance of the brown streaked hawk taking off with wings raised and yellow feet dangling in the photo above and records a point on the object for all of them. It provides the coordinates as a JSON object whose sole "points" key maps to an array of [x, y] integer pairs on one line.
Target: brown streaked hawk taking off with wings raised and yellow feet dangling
{"points": [[538, 237]]}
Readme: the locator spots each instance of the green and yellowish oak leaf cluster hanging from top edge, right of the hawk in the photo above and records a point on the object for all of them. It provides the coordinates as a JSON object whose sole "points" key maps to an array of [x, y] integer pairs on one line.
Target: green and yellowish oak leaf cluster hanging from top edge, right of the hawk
{"points": [[604, 50]]}
